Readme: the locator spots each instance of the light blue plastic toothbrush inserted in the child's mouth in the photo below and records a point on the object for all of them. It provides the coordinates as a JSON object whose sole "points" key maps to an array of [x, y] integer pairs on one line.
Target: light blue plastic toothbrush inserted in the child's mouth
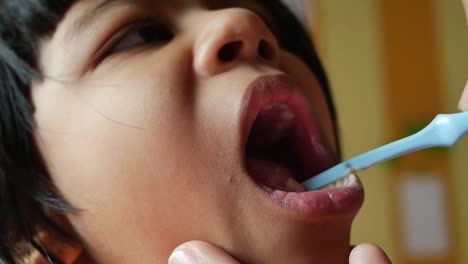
{"points": [[444, 130]]}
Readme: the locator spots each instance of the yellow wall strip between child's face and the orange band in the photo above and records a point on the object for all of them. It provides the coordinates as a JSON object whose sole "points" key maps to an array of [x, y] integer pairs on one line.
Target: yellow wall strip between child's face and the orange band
{"points": [[348, 35]]}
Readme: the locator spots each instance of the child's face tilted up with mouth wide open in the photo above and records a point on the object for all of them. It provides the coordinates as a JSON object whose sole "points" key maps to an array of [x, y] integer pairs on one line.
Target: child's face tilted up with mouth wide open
{"points": [[146, 131]]}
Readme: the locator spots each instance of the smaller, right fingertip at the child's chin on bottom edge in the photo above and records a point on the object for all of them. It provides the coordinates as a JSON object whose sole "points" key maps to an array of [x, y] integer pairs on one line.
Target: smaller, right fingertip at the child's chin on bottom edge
{"points": [[368, 254]]}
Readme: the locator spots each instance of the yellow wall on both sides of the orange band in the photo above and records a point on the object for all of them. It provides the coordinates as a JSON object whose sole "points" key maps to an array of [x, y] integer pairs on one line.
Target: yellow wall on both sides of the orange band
{"points": [[350, 42]]}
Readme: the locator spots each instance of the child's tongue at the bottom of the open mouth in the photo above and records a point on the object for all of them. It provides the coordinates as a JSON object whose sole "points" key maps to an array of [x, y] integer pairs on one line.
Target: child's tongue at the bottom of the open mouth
{"points": [[273, 175]]}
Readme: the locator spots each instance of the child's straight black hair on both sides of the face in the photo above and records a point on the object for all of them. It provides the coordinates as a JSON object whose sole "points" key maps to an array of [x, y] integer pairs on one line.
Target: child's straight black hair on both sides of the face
{"points": [[25, 188]]}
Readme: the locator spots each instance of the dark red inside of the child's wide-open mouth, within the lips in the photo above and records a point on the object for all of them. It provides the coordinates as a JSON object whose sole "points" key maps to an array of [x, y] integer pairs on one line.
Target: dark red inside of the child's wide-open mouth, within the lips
{"points": [[285, 144]]}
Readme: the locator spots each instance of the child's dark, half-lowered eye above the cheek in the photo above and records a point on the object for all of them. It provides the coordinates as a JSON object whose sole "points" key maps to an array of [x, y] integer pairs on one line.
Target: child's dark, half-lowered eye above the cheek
{"points": [[139, 34]]}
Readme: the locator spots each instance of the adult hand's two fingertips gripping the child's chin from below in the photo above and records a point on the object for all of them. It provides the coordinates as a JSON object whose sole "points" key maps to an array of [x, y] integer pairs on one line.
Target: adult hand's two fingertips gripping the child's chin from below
{"points": [[198, 252]]}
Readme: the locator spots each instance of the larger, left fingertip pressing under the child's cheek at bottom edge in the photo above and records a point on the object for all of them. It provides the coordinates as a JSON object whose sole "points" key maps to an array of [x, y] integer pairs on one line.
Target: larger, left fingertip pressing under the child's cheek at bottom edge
{"points": [[199, 252]]}
